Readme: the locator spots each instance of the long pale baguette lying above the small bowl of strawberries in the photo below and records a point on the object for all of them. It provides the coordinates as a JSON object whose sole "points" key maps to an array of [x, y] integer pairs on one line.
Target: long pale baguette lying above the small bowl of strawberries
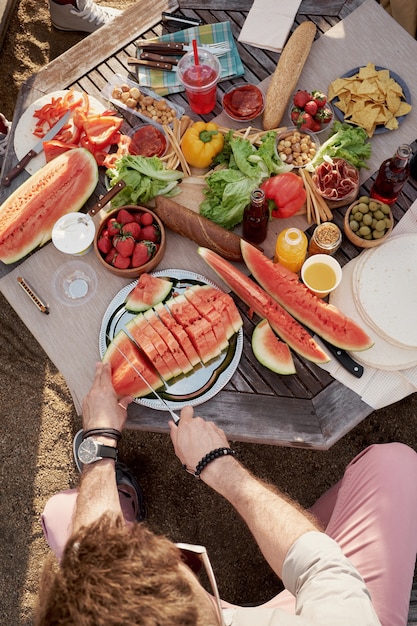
{"points": [[287, 73]]}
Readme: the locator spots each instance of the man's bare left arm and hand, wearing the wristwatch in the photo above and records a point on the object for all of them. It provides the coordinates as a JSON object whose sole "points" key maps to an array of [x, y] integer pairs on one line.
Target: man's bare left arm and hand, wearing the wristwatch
{"points": [[98, 489]]}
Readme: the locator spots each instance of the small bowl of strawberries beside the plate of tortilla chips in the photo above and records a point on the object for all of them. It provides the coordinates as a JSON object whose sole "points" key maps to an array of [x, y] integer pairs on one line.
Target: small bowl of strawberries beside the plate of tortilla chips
{"points": [[310, 110]]}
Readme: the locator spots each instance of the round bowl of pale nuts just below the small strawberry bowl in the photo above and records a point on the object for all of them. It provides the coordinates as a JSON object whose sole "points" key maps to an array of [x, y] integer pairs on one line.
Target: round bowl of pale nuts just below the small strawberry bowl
{"points": [[296, 147]]}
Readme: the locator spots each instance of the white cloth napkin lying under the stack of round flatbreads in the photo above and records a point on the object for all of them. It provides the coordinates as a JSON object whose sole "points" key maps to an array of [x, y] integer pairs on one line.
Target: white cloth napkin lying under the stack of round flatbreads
{"points": [[380, 388]]}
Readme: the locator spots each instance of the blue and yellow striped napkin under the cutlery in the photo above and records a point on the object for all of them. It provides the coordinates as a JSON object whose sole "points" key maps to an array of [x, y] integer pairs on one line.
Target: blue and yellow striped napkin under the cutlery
{"points": [[164, 83]]}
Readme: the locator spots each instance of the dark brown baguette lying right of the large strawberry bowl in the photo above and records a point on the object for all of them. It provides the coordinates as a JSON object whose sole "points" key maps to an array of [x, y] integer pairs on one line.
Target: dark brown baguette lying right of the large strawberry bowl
{"points": [[198, 228]]}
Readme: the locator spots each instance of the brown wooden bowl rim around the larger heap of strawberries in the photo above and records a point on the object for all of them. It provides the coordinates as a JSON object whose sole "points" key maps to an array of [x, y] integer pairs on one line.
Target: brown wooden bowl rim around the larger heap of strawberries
{"points": [[131, 272]]}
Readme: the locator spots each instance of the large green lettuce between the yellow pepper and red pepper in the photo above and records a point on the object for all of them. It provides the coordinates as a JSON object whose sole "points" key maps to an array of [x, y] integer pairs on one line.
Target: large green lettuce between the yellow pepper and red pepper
{"points": [[245, 167]]}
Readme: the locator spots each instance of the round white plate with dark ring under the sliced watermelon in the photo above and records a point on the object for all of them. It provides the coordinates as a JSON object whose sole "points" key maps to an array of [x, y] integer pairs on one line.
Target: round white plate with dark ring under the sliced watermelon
{"points": [[204, 381]]}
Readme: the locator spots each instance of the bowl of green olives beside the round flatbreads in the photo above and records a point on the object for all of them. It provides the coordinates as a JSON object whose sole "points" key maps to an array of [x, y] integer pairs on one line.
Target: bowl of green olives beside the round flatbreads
{"points": [[368, 222]]}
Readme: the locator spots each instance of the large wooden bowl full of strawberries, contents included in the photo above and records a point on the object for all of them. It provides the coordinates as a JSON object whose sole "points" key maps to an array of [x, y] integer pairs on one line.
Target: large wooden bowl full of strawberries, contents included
{"points": [[130, 241]]}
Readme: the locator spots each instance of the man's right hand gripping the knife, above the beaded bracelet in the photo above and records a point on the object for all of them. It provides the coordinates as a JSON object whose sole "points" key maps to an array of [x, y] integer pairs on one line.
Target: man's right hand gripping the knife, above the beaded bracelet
{"points": [[194, 437]]}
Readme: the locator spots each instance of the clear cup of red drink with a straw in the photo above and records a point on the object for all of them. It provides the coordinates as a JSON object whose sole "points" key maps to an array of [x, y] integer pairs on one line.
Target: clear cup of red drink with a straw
{"points": [[200, 81]]}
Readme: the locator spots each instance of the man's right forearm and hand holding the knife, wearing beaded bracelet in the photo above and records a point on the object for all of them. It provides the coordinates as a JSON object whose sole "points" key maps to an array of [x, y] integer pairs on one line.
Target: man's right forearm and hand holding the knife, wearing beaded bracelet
{"points": [[275, 521]]}
